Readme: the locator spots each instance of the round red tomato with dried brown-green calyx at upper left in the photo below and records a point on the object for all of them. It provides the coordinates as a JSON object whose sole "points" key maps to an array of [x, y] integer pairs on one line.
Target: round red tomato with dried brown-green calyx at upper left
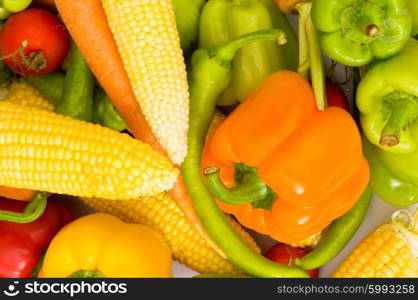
{"points": [[34, 42]]}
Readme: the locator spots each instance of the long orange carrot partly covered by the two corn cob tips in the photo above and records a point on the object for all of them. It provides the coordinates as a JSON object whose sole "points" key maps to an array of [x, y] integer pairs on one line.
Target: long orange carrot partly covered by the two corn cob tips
{"points": [[87, 23]]}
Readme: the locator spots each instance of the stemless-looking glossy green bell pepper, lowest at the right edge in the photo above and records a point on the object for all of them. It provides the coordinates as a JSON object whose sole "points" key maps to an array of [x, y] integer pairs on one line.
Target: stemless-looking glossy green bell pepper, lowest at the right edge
{"points": [[393, 177]]}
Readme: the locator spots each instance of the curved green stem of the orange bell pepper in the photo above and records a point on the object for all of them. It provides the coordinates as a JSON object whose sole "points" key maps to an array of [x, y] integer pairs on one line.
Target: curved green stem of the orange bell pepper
{"points": [[251, 189]]}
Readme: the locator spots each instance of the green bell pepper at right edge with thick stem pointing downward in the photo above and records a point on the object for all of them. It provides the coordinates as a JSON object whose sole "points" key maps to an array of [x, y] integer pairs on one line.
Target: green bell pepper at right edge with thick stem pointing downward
{"points": [[387, 98]]}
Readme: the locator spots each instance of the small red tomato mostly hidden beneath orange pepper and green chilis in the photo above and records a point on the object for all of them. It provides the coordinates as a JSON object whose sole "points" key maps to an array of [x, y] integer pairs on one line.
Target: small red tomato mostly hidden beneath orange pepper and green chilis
{"points": [[285, 254]]}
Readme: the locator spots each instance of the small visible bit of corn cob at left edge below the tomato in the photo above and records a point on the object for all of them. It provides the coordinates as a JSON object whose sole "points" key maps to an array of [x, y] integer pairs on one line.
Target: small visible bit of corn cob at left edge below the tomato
{"points": [[22, 93]]}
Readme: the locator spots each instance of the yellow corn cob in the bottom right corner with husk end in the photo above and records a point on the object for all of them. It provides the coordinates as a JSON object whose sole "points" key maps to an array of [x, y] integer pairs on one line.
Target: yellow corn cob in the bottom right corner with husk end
{"points": [[389, 251]]}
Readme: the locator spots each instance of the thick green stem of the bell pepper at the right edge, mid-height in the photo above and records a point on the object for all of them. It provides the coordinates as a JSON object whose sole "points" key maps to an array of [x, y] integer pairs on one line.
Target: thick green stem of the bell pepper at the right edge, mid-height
{"points": [[403, 111]]}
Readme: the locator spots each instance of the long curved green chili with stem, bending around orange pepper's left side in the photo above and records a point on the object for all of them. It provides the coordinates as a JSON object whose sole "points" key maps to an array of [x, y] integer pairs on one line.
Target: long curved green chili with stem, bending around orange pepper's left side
{"points": [[211, 73]]}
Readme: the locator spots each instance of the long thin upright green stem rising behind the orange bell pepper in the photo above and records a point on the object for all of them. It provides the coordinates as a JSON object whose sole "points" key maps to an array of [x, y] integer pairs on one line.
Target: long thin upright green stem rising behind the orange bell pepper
{"points": [[308, 38]]}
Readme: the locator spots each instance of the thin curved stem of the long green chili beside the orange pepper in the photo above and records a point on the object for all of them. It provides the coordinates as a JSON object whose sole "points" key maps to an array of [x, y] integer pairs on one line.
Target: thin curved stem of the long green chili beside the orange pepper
{"points": [[227, 52]]}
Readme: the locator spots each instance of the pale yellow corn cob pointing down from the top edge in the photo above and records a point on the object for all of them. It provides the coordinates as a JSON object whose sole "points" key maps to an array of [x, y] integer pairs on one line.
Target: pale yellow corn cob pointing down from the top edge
{"points": [[149, 45]]}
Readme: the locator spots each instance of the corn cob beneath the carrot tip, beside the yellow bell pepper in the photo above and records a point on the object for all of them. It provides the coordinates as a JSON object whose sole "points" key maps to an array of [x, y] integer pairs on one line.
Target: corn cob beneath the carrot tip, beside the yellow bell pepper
{"points": [[162, 214]]}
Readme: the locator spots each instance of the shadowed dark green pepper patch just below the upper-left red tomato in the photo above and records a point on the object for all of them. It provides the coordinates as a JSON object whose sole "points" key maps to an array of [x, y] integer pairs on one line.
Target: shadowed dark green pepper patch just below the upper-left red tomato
{"points": [[49, 85]]}
